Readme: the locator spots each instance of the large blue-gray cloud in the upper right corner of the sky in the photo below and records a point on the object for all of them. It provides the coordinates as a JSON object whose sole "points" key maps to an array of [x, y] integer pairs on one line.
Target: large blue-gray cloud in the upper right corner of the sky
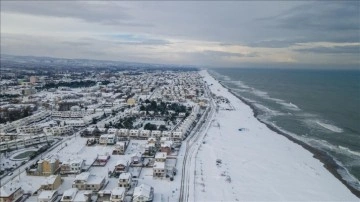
{"points": [[330, 21]]}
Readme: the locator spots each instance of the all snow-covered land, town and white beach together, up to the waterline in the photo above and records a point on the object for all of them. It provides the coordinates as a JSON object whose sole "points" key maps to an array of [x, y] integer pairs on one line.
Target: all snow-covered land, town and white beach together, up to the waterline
{"points": [[134, 135]]}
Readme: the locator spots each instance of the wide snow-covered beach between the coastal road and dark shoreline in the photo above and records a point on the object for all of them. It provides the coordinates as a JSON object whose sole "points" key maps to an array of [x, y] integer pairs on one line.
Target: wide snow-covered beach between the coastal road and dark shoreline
{"points": [[257, 164]]}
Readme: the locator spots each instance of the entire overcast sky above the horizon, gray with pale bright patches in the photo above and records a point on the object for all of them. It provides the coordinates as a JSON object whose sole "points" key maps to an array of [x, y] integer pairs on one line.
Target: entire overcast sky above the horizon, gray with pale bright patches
{"points": [[201, 33]]}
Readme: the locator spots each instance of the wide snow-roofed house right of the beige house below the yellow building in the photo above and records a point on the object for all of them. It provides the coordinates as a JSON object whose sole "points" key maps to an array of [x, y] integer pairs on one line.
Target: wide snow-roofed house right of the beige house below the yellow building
{"points": [[87, 181]]}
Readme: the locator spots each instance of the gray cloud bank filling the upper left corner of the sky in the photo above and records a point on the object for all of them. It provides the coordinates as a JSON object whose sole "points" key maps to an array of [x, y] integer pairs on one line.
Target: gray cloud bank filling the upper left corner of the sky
{"points": [[106, 12]]}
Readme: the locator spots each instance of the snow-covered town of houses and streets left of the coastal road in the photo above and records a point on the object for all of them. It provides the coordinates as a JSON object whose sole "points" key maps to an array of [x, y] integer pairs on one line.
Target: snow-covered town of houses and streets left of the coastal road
{"points": [[101, 137]]}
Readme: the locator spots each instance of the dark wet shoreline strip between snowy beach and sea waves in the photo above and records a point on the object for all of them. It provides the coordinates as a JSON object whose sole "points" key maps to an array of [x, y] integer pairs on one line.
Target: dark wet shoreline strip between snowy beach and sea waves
{"points": [[329, 163]]}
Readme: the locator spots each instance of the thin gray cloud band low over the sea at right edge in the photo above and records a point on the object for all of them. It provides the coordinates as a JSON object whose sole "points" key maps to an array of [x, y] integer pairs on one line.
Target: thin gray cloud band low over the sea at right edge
{"points": [[350, 49]]}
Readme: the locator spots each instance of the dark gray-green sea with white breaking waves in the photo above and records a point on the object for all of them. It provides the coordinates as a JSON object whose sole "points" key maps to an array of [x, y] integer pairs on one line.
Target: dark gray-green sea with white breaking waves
{"points": [[318, 107]]}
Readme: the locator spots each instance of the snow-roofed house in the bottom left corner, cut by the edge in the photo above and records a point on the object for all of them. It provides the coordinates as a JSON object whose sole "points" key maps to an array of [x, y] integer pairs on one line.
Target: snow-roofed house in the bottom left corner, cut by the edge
{"points": [[11, 192]]}
